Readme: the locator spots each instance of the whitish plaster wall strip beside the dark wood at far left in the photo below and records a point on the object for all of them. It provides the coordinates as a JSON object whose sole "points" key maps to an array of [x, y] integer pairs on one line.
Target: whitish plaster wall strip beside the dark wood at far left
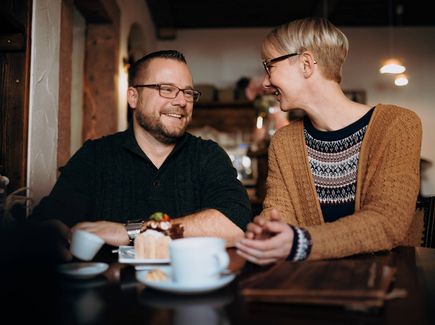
{"points": [[43, 97]]}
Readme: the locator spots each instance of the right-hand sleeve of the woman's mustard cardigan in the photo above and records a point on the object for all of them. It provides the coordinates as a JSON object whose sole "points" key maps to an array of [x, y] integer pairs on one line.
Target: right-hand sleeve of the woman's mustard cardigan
{"points": [[390, 185]]}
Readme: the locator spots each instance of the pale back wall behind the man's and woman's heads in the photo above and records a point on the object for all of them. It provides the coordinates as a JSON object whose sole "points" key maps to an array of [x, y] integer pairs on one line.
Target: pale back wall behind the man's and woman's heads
{"points": [[221, 57]]}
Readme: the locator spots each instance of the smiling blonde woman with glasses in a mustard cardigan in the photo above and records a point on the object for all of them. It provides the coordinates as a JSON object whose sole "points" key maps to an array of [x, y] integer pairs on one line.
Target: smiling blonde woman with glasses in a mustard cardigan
{"points": [[343, 180]]}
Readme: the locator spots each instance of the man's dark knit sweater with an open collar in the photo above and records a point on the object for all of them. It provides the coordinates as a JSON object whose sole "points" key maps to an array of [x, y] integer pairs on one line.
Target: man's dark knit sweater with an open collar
{"points": [[112, 179]]}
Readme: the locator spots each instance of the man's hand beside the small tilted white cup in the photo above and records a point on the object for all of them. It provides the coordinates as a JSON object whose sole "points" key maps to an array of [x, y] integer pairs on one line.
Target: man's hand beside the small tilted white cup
{"points": [[112, 233]]}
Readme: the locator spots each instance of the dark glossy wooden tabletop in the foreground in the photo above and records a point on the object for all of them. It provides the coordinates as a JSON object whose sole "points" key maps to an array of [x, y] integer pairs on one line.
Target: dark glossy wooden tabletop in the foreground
{"points": [[116, 297]]}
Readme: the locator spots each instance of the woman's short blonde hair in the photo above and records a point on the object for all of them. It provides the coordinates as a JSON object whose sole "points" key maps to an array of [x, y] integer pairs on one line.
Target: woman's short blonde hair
{"points": [[327, 43]]}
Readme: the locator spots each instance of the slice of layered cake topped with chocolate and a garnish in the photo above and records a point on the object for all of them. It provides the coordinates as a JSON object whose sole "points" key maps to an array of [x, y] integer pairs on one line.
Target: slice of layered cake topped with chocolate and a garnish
{"points": [[155, 235]]}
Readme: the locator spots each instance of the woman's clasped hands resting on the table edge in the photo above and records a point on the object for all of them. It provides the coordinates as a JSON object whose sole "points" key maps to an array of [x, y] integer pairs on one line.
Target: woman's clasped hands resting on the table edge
{"points": [[267, 239]]}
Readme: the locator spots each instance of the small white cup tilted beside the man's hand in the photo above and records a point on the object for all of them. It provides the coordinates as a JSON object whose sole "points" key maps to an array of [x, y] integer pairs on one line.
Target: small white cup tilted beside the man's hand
{"points": [[85, 245]]}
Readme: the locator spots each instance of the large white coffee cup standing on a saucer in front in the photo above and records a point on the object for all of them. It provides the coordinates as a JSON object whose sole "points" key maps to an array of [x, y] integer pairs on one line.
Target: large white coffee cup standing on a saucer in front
{"points": [[198, 260]]}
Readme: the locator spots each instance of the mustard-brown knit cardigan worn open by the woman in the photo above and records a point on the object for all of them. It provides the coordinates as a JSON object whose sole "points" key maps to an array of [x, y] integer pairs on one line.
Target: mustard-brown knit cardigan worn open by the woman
{"points": [[388, 182]]}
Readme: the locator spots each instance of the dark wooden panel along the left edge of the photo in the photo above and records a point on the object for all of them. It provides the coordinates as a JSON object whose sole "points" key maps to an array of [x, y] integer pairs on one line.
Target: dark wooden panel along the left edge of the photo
{"points": [[15, 25]]}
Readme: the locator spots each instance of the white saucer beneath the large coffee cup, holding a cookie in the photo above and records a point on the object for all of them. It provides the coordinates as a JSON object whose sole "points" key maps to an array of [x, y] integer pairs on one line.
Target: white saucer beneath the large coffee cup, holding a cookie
{"points": [[171, 286]]}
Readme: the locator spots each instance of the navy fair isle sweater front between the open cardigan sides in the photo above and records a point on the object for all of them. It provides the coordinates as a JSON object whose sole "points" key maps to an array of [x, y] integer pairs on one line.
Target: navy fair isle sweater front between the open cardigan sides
{"points": [[334, 158]]}
